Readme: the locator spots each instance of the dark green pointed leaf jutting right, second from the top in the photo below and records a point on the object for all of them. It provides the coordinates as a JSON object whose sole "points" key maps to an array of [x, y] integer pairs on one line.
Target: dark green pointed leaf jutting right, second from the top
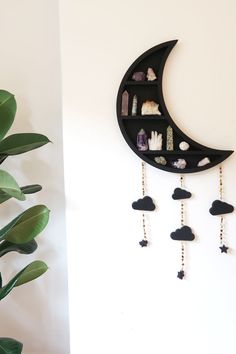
{"points": [[19, 143]]}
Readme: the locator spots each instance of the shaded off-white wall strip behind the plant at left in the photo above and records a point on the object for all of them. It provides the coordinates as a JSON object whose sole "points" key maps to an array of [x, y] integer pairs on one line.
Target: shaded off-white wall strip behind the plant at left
{"points": [[36, 314]]}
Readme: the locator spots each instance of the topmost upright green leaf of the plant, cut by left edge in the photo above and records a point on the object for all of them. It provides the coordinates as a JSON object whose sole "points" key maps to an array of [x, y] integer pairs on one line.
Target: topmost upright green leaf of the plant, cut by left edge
{"points": [[7, 112]]}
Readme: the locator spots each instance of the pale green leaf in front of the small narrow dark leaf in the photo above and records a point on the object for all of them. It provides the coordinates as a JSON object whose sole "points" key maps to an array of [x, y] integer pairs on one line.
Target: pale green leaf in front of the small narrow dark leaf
{"points": [[9, 186]]}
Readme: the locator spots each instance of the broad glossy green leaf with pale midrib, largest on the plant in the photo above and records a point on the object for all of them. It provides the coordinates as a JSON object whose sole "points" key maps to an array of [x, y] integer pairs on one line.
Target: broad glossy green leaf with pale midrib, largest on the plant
{"points": [[26, 226]]}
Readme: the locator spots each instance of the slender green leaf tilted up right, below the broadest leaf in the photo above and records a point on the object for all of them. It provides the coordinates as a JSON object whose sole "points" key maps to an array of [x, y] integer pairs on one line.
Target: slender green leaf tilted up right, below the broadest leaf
{"points": [[31, 272]]}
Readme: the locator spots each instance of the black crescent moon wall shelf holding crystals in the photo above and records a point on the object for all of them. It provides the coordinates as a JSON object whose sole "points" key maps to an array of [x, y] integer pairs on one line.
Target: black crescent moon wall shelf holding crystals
{"points": [[152, 90]]}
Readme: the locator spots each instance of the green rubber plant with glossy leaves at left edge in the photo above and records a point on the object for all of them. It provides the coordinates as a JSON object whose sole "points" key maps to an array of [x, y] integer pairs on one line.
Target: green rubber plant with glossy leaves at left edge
{"points": [[19, 234]]}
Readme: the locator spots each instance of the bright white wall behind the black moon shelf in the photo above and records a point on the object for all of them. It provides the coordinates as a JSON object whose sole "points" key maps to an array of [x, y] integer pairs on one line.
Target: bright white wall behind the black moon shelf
{"points": [[124, 299]]}
